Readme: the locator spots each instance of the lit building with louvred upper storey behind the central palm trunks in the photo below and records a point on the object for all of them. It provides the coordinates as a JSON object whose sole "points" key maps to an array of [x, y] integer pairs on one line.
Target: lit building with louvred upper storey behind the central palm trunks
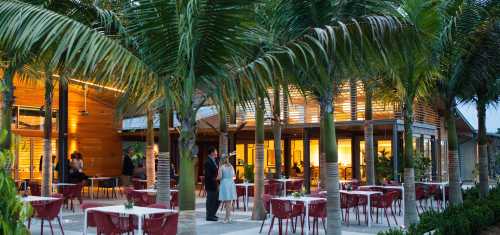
{"points": [[300, 135]]}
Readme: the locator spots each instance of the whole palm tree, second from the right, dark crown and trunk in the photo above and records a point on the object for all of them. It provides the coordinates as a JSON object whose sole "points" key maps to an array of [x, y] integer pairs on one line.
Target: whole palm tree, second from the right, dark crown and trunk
{"points": [[457, 46]]}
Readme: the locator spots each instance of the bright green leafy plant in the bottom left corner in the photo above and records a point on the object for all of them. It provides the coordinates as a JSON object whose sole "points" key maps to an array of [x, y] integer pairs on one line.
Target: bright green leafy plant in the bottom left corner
{"points": [[13, 212]]}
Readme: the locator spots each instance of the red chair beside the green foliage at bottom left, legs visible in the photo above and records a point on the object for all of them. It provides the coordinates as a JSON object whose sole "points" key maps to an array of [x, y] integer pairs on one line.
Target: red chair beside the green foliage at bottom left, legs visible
{"points": [[47, 211]]}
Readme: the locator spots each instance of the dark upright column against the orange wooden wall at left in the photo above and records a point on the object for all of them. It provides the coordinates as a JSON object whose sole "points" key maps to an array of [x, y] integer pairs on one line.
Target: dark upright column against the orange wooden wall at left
{"points": [[62, 138]]}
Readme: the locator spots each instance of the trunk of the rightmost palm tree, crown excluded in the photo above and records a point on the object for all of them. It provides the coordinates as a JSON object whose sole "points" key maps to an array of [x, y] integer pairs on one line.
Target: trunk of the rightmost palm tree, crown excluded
{"points": [[482, 148]]}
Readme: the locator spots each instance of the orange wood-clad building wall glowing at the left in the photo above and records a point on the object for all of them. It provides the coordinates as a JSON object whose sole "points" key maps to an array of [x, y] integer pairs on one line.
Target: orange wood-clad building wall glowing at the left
{"points": [[92, 128]]}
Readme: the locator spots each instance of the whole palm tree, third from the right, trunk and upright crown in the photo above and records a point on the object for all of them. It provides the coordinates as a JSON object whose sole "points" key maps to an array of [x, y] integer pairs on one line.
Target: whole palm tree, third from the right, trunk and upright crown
{"points": [[411, 70]]}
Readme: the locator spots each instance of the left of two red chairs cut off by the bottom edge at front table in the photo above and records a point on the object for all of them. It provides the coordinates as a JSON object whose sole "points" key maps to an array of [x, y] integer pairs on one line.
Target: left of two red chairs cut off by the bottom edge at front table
{"points": [[111, 223]]}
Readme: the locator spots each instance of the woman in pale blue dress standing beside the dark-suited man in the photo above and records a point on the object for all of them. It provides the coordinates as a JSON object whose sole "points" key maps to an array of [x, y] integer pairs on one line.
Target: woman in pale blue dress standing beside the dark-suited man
{"points": [[227, 190]]}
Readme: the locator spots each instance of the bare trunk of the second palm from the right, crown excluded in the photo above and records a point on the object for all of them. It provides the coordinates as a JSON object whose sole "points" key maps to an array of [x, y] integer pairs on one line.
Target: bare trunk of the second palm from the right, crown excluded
{"points": [[453, 165]]}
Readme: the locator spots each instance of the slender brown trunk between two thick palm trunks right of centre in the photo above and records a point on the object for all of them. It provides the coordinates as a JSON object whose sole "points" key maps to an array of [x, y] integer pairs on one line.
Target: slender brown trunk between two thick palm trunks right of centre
{"points": [[368, 129]]}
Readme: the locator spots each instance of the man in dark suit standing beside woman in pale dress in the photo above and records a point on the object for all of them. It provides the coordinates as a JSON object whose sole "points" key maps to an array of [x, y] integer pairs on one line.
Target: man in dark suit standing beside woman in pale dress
{"points": [[211, 172]]}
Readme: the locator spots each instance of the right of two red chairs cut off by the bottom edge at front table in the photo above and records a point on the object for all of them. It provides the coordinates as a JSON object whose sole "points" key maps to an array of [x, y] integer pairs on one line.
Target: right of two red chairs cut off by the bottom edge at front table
{"points": [[163, 225]]}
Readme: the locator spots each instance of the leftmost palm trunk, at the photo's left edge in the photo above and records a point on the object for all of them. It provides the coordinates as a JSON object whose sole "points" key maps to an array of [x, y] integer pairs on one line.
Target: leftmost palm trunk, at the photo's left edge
{"points": [[7, 100]]}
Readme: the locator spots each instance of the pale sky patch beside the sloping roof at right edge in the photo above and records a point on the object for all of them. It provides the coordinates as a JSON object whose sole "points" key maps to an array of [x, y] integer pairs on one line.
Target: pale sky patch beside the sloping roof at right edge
{"points": [[492, 116]]}
